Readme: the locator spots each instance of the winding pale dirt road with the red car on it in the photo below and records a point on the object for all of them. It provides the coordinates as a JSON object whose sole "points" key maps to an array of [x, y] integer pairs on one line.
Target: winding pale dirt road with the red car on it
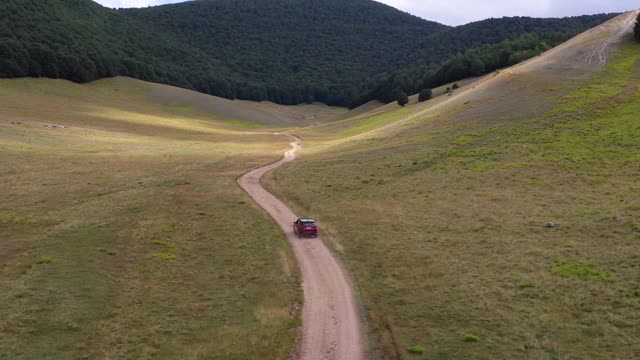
{"points": [[330, 321]]}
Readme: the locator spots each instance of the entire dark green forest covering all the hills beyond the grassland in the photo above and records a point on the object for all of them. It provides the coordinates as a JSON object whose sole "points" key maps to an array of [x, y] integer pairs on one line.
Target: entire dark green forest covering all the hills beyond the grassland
{"points": [[287, 51]]}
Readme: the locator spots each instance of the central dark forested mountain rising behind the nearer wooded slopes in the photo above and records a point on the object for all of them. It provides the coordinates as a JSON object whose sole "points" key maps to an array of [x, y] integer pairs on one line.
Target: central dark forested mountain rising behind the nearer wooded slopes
{"points": [[291, 51]]}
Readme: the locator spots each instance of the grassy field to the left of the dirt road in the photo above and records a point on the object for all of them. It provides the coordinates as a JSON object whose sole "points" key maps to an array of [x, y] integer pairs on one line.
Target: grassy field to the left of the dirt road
{"points": [[124, 235]]}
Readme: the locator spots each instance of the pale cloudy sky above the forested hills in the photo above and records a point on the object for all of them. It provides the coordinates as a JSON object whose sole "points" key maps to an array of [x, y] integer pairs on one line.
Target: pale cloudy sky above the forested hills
{"points": [[457, 12]]}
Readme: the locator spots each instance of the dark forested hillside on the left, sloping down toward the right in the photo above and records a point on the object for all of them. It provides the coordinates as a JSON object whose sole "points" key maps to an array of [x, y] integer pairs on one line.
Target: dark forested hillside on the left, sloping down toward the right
{"points": [[82, 41]]}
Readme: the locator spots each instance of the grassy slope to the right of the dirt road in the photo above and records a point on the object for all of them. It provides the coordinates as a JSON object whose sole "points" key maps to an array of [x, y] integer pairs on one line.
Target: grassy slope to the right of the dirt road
{"points": [[440, 218]]}
